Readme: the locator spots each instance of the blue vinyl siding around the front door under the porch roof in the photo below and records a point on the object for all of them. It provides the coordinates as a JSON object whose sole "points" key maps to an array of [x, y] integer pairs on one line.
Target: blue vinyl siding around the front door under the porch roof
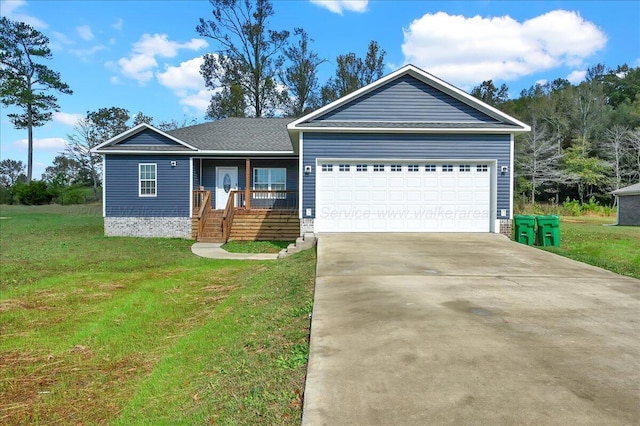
{"points": [[209, 172]]}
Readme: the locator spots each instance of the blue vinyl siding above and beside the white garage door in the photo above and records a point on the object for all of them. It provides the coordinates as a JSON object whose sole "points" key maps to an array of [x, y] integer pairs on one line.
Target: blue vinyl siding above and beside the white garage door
{"points": [[405, 146]]}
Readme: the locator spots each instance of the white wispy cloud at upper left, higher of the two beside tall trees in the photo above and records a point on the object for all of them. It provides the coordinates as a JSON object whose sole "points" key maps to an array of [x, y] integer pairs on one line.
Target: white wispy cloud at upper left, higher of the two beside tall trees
{"points": [[142, 60]]}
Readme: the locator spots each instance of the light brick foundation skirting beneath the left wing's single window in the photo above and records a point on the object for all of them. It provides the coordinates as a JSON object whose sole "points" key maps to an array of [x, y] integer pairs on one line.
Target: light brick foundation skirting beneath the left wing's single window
{"points": [[165, 227]]}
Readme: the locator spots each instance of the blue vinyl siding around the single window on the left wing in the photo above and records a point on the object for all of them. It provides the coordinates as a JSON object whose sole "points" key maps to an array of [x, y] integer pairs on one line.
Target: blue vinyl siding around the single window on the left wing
{"points": [[122, 199]]}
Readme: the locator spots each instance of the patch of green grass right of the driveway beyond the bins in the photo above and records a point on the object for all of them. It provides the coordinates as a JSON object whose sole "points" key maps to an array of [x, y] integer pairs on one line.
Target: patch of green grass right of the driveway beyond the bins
{"points": [[589, 240]]}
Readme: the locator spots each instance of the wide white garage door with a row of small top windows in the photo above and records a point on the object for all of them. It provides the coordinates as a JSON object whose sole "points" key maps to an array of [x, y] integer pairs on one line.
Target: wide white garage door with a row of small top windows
{"points": [[366, 196]]}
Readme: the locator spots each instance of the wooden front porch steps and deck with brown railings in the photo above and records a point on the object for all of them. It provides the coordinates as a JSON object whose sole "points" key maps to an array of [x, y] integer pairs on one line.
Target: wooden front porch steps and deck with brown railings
{"points": [[249, 215]]}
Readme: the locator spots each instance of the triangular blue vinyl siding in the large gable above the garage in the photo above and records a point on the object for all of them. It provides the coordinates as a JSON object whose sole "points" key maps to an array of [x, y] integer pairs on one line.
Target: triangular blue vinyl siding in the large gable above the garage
{"points": [[406, 99]]}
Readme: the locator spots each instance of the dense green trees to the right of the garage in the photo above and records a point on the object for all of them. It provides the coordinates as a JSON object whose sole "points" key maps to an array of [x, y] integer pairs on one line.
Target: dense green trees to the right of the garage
{"points": [[585, 138]]}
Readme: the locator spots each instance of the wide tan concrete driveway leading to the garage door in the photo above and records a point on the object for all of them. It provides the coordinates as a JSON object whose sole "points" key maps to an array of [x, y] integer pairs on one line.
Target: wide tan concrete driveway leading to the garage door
{"points": [[419, 329]]}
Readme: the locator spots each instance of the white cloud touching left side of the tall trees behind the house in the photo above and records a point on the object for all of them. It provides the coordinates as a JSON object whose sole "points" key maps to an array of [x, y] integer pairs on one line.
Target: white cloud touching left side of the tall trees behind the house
{"points": [[187, 84]]}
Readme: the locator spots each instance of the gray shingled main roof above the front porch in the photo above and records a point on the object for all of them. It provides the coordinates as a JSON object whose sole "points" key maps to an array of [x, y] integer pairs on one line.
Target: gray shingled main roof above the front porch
{"points": [[238, 134]]}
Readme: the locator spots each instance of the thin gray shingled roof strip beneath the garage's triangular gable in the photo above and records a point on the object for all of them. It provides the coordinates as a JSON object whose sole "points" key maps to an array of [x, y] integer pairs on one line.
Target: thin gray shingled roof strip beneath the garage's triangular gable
{"points": [[407, 125]]}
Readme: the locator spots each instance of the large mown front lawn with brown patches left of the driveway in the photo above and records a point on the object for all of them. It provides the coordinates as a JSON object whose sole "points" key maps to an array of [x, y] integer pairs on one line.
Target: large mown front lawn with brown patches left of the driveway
{"points": [[140, 331]]}
